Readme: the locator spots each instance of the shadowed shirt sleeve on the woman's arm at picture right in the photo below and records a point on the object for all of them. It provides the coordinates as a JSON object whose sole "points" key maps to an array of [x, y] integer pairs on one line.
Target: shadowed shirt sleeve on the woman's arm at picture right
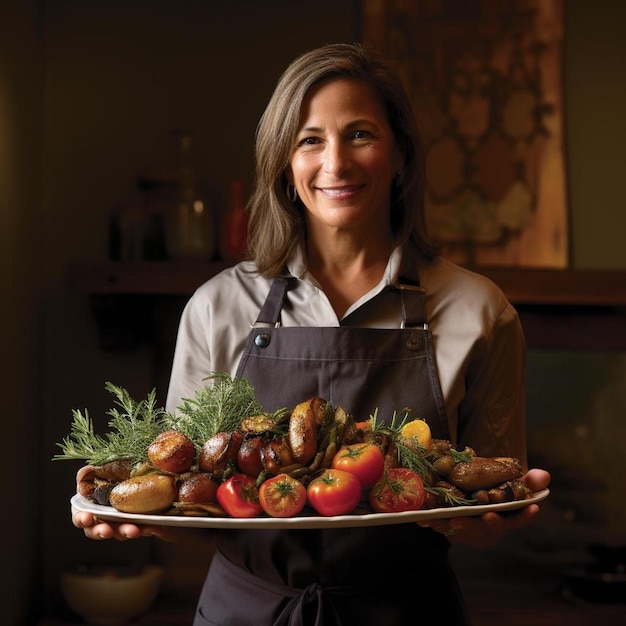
{"points": [[492, 415]]}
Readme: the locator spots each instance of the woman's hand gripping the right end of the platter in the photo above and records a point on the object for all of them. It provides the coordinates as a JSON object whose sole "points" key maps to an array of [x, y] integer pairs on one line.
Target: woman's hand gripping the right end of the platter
{"points": [[487, 529]]}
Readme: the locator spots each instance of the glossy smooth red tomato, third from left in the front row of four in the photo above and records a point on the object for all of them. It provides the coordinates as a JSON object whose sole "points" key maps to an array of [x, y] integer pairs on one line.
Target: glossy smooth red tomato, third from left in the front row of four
{"points": [[334, 492]]}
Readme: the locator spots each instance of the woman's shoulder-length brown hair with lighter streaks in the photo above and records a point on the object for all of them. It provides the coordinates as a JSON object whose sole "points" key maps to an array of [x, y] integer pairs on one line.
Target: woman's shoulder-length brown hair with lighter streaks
{"points": [[276, 224]]}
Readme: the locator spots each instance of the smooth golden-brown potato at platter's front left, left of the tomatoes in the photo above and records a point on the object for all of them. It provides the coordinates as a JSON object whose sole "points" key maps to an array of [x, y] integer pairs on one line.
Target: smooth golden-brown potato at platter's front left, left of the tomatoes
{"points": [[146, 494]]}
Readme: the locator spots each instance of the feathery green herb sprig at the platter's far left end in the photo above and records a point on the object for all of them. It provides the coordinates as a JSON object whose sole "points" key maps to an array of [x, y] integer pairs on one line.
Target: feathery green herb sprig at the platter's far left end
{"points": [[133, 428]]}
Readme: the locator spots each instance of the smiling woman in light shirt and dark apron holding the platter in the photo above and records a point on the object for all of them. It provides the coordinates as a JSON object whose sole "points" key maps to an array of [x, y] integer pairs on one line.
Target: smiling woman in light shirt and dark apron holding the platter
{"points": [[350, 302]]}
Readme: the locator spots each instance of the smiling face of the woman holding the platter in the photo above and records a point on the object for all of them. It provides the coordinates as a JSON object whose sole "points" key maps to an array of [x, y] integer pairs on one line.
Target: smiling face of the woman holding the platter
{"points": [[345, 158]]}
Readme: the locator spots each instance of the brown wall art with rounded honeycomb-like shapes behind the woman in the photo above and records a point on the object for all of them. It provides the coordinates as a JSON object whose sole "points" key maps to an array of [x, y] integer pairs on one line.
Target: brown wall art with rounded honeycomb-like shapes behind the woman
{"points": [[485, 78]]}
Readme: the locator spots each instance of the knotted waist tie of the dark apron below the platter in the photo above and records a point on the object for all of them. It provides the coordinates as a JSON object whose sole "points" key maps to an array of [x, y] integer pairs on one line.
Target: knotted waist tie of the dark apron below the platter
{"points": [[314, 599]]}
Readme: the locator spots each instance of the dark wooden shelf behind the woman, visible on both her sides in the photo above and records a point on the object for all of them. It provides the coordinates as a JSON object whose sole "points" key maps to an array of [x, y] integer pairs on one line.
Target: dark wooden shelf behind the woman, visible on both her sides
{"points": [[558, 308]]}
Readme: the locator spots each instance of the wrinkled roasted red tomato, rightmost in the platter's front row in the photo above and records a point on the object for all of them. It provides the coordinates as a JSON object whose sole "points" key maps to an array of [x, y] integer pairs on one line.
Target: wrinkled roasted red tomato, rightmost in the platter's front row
{"points": [[399, 489]]}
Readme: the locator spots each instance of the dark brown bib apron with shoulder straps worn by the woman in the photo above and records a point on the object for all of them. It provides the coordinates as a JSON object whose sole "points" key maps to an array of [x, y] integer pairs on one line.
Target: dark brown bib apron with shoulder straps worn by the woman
{"points": [[391, 575]]}
